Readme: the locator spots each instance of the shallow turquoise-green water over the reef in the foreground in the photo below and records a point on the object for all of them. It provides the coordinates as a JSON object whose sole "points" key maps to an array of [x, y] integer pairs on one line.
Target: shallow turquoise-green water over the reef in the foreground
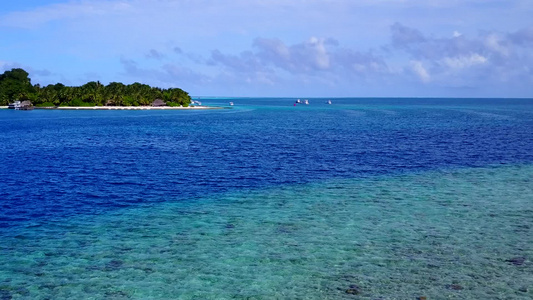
{"points": [[458, 234]]}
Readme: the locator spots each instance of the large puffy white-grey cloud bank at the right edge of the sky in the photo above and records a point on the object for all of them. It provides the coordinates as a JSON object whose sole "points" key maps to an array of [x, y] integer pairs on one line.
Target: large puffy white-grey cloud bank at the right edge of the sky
{"points": [[490, 58]]}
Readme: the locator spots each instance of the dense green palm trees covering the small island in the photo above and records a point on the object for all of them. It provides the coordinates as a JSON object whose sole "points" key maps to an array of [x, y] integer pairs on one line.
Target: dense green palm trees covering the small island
{"points": [[16, 85]]}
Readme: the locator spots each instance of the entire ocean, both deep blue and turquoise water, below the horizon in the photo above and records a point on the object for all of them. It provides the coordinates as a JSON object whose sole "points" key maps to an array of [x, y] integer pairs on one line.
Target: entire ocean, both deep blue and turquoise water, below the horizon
{"points": [[267, 199]]}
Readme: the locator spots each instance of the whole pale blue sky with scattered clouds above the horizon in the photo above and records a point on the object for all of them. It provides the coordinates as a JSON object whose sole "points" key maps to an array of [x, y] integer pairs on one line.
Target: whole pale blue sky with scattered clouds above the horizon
{"points": [[277, 48]]}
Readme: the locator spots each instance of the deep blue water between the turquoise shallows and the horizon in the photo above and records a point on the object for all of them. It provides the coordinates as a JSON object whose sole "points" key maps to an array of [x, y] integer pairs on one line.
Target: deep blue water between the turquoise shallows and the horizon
{"points": [[56, 164]]}
